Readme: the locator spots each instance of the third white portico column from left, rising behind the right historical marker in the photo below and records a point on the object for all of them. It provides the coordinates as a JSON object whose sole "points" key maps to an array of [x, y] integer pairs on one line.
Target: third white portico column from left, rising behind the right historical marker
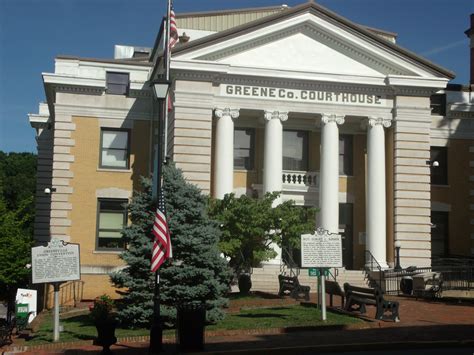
{"points": [[329, 172]]}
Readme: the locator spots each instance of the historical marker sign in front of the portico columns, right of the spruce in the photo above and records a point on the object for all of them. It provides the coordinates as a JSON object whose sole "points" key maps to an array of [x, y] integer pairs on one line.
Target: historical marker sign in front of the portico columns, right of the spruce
{"points": [[321, 250]]}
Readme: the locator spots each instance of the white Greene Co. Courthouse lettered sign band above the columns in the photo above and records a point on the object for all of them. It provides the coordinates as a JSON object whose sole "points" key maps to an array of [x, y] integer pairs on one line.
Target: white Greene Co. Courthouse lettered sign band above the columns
{"points": [[269, 93]]}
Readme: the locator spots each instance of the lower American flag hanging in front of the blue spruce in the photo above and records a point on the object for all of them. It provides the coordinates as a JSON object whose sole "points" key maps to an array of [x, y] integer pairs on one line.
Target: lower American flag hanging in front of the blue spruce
{"points": [[162, 242]]}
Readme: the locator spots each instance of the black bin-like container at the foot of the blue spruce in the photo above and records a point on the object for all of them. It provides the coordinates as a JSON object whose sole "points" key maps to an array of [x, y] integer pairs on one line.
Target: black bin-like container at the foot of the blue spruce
{"points": [[191, 320]]}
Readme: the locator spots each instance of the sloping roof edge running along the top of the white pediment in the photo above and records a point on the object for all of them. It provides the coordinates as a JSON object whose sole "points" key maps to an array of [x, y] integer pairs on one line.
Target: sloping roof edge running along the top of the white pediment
{"points": [[315, 8]]}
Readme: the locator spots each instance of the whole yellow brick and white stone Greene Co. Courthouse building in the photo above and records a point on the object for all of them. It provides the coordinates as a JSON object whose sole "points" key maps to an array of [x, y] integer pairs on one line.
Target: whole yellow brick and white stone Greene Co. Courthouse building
{"points": [[300, 100]]}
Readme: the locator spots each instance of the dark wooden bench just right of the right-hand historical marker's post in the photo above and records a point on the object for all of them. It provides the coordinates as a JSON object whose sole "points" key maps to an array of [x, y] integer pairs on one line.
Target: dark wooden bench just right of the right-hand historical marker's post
{"points": [[362, 296]]}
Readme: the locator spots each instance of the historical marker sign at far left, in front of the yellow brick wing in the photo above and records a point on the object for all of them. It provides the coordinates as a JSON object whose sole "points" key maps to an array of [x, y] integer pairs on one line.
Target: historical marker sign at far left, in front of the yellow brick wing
{"points": [[56, 262]]}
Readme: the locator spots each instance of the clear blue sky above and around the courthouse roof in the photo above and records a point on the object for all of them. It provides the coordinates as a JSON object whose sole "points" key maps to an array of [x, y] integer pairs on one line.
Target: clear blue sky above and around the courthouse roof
{"points": [[33, 32]]}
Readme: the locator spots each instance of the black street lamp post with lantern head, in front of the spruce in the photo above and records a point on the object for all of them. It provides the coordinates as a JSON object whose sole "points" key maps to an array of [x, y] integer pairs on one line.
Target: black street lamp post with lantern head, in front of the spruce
{"points": [[160, 90]]}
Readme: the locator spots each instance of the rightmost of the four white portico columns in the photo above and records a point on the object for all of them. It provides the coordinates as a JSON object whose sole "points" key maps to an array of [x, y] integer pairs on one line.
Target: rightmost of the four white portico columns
{"points": [[376, 219]]}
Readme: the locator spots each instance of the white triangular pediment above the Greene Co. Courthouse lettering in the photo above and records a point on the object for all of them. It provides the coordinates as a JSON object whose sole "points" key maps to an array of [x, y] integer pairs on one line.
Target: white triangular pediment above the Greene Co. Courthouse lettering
{"points": [[305, 42]]}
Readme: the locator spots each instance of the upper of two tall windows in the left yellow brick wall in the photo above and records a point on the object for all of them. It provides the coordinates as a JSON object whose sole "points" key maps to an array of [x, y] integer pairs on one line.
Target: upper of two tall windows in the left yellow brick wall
{"points": [[114, 149]]}
